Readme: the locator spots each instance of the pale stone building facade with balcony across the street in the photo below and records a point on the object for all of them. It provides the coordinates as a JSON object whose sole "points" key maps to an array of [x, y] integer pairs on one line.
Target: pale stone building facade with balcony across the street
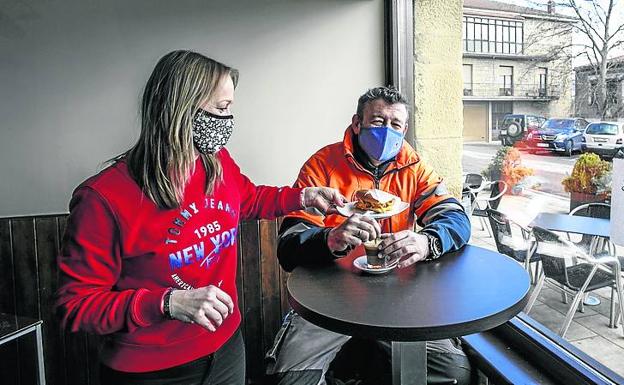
{"points": [[513, 62]]}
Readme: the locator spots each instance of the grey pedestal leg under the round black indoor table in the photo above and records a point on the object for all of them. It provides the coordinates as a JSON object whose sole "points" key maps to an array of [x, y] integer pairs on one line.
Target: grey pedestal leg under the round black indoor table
{"points": [[409, 363]]}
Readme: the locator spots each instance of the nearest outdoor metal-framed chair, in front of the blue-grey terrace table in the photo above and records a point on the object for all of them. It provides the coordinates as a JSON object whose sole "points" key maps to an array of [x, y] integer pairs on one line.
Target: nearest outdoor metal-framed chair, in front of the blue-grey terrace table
{"points": [[570, 269]]}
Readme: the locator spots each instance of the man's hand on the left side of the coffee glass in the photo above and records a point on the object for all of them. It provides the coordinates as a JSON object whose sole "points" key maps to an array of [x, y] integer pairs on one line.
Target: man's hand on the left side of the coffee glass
{"points": [[353, 232]]}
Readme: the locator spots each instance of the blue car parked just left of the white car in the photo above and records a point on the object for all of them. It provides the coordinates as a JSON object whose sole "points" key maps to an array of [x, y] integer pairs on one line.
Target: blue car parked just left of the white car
{"points": [[559, 135]]}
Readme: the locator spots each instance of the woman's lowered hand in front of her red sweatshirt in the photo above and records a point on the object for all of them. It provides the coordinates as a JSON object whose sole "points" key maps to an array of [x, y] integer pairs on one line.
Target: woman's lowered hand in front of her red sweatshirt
{"points": [[207, 306]]}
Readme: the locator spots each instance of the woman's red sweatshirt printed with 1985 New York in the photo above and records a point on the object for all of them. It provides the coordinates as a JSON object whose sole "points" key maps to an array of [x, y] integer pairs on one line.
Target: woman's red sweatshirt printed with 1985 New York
{"points": [[121, 252]]}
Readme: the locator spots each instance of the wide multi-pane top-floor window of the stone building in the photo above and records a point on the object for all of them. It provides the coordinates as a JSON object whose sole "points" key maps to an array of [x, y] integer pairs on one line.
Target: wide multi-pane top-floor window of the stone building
{"points": [[492, 35]]}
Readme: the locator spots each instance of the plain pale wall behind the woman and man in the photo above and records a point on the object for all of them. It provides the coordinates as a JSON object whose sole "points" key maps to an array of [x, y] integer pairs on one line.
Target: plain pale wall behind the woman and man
{"points": [[72, 71]]}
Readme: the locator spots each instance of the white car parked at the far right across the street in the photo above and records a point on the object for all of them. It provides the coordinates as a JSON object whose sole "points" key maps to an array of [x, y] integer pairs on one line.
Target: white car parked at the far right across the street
{"points": [[604, 138]]}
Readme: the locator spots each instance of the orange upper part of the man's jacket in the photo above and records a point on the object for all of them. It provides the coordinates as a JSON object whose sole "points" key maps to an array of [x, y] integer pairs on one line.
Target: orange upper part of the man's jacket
{"points": [[407, 177]]}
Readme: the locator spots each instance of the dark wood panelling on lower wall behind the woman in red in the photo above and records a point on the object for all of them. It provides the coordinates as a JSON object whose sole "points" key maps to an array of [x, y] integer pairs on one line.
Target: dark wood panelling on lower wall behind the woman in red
{"points": [[29, 279]]}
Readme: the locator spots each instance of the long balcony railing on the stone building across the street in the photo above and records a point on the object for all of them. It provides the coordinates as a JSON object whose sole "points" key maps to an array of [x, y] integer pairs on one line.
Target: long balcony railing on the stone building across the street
{"points": [[517, 91]]}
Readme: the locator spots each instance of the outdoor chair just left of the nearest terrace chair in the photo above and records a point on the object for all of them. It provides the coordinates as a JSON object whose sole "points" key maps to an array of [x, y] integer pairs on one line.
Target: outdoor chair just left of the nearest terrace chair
{"points": [[513, 240]]}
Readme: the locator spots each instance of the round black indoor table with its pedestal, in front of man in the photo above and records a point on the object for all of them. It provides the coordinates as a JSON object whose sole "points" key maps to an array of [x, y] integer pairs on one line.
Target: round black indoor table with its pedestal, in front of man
{"points": [[464, 292]]}
